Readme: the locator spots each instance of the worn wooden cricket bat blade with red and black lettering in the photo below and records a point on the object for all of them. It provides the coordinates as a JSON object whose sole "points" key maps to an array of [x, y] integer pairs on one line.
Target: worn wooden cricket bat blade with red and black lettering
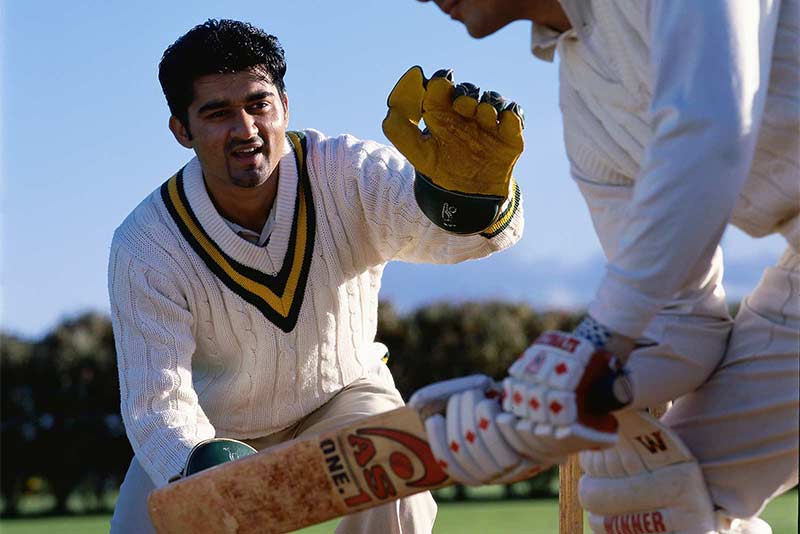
{"points": [[305, 481]]}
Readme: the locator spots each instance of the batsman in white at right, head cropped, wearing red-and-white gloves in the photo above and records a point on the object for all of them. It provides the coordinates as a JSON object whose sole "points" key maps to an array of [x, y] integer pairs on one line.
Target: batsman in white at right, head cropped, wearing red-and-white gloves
{"points": [[680, 117]]}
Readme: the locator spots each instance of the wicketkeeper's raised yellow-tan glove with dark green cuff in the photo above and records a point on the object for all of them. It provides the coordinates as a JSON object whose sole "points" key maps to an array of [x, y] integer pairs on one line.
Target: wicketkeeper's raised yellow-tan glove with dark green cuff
{"points": [[465, 155]]}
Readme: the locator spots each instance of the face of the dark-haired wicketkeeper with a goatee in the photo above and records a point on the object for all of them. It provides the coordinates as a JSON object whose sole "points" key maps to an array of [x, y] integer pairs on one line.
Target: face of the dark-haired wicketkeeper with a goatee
{"points": [[237, 124]]}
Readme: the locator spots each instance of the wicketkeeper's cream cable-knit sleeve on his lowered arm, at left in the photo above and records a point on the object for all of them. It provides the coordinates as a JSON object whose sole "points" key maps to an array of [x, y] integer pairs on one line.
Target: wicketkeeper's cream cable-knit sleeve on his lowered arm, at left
{"points": [[154, 342]]}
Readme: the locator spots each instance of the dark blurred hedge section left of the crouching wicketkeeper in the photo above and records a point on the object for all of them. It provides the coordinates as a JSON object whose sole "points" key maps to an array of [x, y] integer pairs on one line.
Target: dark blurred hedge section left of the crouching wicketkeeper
{"points": [[59, 413]]}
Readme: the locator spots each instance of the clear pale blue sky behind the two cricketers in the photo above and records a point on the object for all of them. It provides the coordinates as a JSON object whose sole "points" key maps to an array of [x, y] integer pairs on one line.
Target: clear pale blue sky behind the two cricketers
{"points": [[85, 138]]}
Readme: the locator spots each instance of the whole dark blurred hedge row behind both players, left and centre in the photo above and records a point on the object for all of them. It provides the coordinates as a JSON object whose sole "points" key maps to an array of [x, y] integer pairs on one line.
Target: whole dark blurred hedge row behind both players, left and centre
{"points": [[59, 396]]}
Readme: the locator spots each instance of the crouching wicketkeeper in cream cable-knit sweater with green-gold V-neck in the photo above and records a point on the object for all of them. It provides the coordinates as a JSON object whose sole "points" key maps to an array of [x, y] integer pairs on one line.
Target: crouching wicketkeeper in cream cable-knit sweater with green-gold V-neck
{"points": [[244, 291]]}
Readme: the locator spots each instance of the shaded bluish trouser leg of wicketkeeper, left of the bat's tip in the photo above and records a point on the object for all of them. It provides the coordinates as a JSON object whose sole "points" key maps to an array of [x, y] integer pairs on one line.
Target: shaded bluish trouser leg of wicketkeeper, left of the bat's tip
{"points": [[130, 512]]}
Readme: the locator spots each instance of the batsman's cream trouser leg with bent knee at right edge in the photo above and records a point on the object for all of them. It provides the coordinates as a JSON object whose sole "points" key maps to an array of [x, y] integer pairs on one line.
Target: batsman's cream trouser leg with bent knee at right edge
{"points": [[742, 424]]}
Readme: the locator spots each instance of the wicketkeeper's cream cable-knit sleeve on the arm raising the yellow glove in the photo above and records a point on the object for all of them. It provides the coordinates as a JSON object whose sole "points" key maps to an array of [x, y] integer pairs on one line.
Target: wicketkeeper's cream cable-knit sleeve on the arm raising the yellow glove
{"points": [[374, 186]]}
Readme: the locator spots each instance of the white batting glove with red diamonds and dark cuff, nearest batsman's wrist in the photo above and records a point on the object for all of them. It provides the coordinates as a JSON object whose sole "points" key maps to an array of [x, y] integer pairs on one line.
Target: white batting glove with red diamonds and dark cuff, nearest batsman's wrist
{"points": [[558, 397]]}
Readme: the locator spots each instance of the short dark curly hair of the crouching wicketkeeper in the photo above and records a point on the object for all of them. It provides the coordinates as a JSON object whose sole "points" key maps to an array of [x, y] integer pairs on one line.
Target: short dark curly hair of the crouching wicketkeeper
{"points": [[217, 47]]}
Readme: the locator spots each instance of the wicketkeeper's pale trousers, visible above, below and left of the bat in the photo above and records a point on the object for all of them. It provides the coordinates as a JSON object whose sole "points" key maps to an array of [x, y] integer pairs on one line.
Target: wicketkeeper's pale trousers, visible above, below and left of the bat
{"points": [[366, 396]]}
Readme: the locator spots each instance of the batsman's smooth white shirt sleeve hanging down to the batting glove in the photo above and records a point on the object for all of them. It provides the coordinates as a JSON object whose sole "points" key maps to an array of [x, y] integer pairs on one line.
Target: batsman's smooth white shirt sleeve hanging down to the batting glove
{"points": [[710, 63]]}
